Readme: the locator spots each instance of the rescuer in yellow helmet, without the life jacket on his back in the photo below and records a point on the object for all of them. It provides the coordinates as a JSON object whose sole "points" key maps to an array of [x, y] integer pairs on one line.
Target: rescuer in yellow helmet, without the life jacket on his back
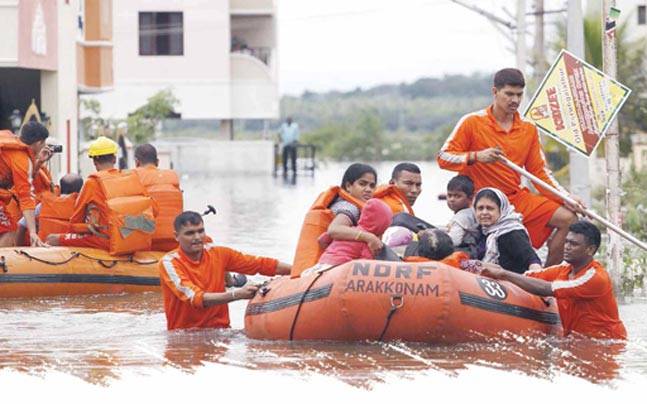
{"points": [[90, 218]]}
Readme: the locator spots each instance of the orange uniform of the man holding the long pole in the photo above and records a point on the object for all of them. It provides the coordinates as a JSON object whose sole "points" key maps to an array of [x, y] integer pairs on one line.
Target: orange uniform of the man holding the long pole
{"points": [[479, 131]]}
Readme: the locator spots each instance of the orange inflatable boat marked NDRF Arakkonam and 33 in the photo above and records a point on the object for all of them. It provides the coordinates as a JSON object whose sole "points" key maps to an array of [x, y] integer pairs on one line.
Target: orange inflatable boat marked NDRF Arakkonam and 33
{"points": [[376, 300]]}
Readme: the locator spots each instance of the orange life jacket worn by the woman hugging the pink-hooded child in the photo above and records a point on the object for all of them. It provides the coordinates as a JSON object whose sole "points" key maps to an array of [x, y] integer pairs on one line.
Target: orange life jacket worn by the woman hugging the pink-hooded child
{"points": [[314, 225]]}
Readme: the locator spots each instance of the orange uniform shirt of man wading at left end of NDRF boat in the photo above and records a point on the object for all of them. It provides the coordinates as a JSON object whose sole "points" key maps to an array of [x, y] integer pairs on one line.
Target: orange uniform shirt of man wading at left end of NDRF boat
{"points": [[184, 283]]}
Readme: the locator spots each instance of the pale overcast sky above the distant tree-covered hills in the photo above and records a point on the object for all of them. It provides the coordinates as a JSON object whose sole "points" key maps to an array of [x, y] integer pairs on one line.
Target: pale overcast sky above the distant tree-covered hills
{"points": [[342, 44]]}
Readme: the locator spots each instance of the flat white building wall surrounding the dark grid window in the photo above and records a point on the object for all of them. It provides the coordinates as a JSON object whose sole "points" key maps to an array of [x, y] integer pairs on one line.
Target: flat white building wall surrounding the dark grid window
{"points": [[199, 78]]}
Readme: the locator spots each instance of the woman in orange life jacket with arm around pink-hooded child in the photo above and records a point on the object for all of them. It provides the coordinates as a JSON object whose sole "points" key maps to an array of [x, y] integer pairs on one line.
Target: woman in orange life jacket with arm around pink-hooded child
{"points": [[336, 212]]}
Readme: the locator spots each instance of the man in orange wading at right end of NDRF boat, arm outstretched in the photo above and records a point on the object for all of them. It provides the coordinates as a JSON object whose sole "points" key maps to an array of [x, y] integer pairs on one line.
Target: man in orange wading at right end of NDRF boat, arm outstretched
{"points": [[581, 285]]}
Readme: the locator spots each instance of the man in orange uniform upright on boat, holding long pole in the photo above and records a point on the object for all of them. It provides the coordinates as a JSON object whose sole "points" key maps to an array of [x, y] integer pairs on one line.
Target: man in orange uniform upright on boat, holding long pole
{"points": [[480, 139]]}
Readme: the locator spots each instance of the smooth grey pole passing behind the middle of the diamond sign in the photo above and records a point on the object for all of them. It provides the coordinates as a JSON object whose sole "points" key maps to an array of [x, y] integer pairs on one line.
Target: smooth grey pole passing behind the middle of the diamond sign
{"points": [[579, 165]]}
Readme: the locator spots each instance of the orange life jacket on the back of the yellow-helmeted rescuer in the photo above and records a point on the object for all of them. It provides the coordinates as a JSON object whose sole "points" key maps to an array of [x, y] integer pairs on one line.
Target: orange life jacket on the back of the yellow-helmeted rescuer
{"points": [[131, 221]]}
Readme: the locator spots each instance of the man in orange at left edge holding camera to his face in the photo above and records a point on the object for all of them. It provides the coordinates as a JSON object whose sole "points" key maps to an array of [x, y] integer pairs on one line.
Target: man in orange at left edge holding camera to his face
{"points": [[18, 158]]}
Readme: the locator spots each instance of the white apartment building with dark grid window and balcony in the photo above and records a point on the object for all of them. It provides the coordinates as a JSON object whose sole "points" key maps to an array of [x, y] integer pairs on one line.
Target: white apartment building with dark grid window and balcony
{"points": [[217, 56]]}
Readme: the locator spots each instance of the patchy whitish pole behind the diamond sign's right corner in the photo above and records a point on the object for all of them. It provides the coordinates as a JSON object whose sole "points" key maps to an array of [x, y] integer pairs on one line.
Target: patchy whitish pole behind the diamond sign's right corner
{"points": [[612, 149]]}
